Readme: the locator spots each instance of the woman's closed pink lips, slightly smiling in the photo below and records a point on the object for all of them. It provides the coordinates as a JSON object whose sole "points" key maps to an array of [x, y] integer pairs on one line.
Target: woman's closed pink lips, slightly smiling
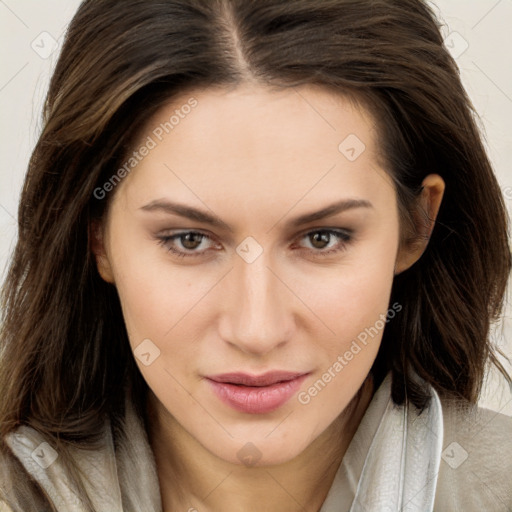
{"points": [[256, 394]]}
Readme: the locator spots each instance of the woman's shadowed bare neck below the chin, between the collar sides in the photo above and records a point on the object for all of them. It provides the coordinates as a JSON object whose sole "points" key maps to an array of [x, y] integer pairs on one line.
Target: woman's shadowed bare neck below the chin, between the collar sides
{"points": [[192, 478]]}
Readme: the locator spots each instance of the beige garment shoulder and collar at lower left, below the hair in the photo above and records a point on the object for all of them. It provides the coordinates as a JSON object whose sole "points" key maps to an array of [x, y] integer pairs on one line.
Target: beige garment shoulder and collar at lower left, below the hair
{"points": [[40, 473]]}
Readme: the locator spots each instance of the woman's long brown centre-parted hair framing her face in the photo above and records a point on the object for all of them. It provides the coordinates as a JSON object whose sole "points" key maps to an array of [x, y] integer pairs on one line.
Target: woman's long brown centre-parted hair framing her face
{"points": [[66, 361]]}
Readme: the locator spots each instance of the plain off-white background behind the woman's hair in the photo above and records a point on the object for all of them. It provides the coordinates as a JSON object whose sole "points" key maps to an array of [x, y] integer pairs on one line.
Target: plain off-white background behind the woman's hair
{"points": [[478, 33]]}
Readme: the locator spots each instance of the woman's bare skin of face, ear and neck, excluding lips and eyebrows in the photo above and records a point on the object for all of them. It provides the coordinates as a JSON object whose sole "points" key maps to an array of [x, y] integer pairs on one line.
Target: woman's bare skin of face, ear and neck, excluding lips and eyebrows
{"points": [[256, 158]]}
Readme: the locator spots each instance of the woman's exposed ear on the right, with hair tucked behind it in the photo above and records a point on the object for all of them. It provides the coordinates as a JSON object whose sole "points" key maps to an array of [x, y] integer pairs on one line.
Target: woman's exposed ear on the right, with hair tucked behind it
{"points": [[429, 202]]}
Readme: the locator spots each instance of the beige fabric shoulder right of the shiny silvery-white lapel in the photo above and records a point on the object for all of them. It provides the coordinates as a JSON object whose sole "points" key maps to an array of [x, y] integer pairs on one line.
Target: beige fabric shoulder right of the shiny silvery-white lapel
{"points": [[476, 461]]}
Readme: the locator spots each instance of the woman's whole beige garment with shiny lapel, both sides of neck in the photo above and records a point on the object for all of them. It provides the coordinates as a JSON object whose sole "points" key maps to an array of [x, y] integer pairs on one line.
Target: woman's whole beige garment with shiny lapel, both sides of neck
{"points": [[449, 458]]}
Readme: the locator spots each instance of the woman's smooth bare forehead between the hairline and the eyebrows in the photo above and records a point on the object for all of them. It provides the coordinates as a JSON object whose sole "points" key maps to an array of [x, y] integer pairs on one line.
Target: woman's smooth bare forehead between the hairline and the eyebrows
{"points": [[260, 143]]}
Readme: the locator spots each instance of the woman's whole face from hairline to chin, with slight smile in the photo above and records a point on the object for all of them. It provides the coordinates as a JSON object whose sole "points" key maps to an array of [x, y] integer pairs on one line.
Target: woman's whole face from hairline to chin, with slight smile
{"points": [[220, 272]]}
